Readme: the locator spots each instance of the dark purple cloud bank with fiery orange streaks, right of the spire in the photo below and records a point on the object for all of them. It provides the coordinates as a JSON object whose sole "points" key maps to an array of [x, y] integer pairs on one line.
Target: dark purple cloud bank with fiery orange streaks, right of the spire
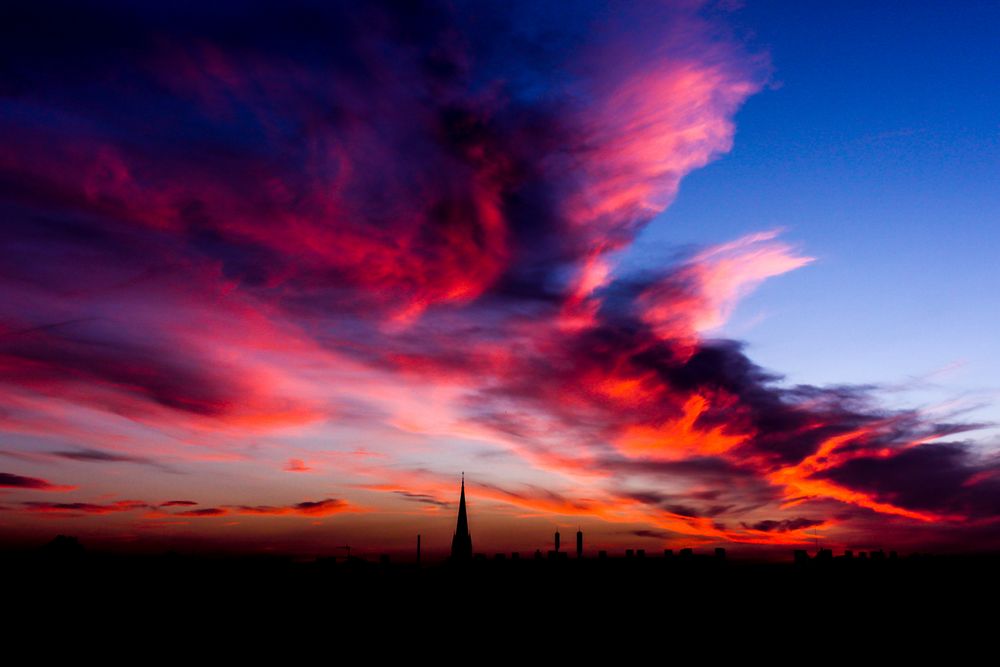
{"points": [[777, 428]]}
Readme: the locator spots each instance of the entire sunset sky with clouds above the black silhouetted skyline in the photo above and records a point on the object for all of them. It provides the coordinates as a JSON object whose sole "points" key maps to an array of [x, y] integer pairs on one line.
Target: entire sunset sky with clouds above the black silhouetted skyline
{"points": [[680, 274]]}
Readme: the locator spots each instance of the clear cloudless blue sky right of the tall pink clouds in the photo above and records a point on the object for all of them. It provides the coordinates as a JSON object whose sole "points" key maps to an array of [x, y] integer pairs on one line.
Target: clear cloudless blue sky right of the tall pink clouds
{"points": [[876, 147]]}
